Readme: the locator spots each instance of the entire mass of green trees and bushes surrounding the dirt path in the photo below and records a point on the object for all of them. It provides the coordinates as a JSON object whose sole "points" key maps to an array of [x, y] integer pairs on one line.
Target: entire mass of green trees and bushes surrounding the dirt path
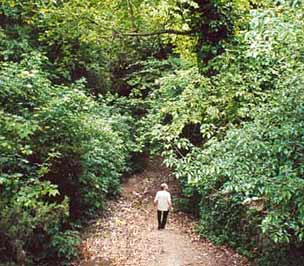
{"points": [[214, 86]]}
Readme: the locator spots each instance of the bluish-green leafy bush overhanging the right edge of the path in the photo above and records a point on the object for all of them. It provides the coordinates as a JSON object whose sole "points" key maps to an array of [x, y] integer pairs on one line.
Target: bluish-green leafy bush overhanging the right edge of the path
{"points": [[254, 177]]}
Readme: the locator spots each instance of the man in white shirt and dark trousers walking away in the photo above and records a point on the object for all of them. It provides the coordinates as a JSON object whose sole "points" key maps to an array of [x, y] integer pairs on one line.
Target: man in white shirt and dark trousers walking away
{"points": [[163, 202]]}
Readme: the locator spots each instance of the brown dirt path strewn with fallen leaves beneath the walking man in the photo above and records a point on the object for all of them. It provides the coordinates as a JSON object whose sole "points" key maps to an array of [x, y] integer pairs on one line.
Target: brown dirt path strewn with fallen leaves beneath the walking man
{"points": [[127, 234]]}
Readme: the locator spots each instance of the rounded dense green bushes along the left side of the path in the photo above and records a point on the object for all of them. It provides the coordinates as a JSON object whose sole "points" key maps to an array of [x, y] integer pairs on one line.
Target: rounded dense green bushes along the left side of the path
{"points": [[61, 154]]}
